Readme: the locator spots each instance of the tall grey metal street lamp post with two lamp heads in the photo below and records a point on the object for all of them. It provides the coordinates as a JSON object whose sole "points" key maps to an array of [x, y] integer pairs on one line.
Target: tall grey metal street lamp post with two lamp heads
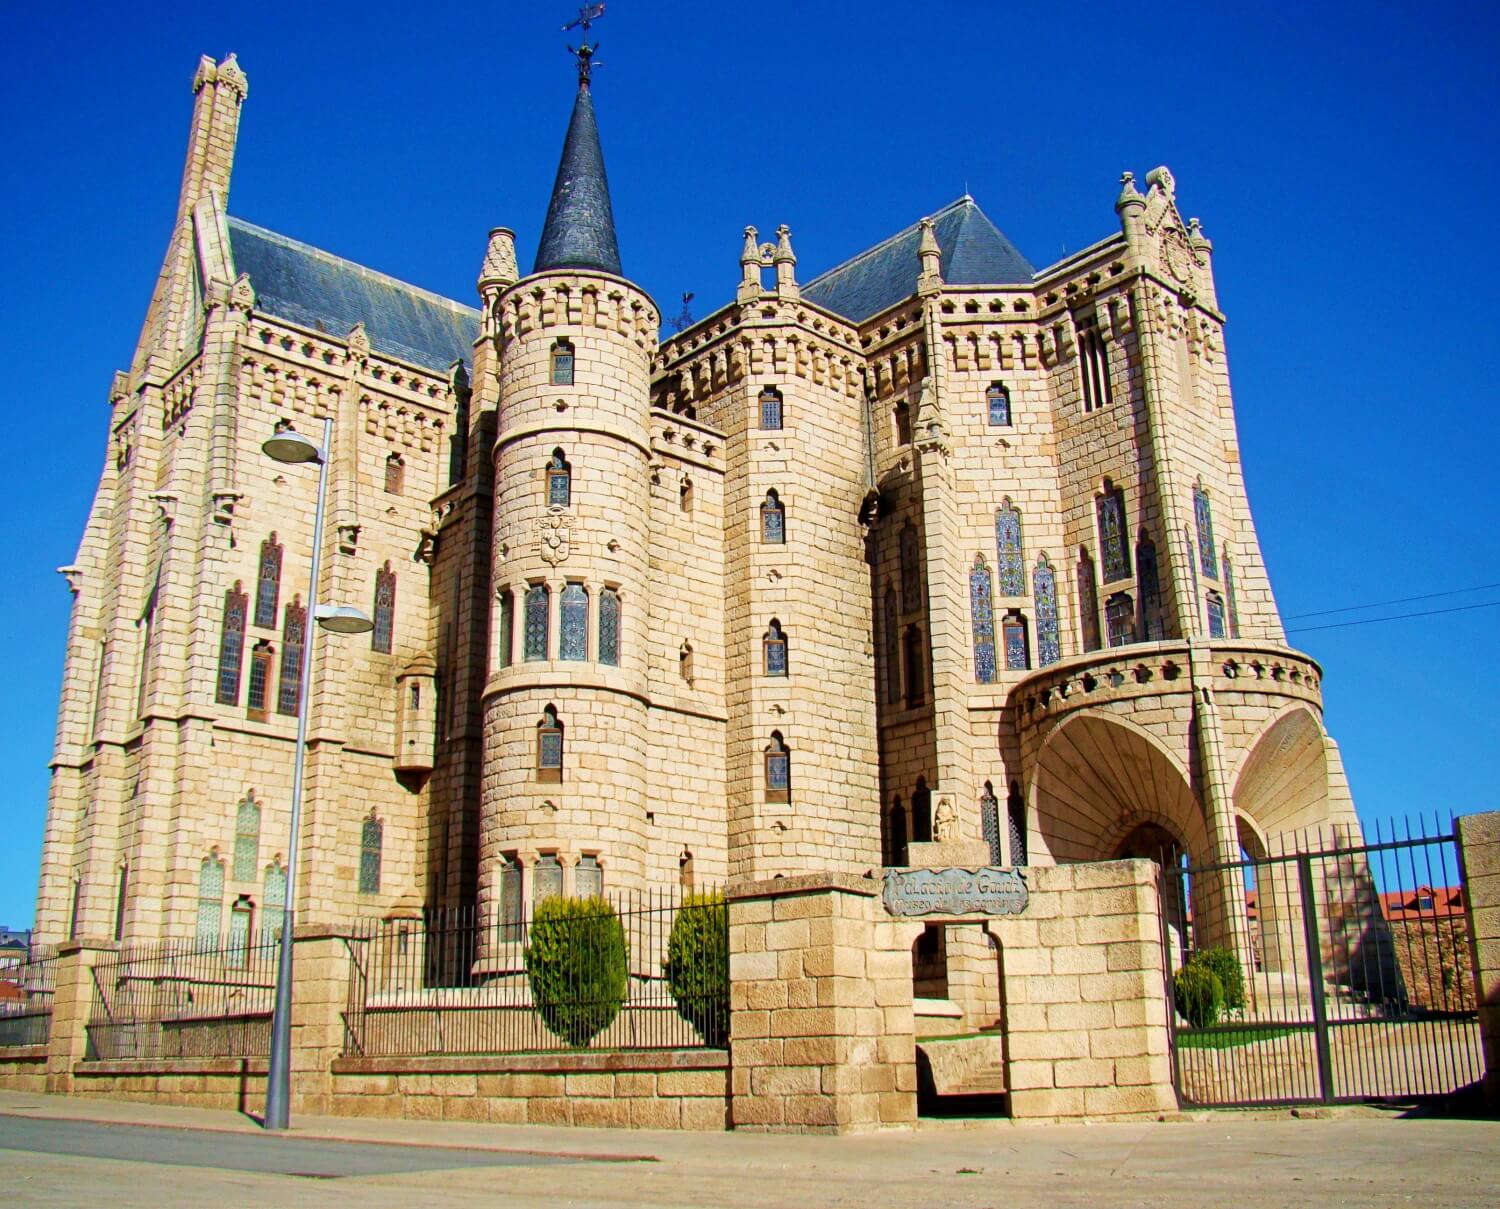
{"points": [[293, 449]]}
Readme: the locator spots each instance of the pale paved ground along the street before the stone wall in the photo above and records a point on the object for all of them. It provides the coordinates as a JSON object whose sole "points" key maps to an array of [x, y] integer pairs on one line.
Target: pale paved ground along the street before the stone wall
{"points": [[1351, 1159]]}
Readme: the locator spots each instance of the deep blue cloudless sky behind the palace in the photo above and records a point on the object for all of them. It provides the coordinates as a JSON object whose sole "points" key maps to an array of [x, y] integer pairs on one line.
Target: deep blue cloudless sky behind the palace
{"points": [[1343, 160]]}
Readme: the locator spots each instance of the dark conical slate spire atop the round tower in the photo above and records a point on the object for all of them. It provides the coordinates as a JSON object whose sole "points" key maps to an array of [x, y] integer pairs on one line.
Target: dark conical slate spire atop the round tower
{"points": [[581, 224]]}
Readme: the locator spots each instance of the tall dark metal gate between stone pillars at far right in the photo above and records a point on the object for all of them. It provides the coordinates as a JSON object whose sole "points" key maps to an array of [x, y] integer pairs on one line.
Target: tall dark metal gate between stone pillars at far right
{"points": [[1358, 980]]}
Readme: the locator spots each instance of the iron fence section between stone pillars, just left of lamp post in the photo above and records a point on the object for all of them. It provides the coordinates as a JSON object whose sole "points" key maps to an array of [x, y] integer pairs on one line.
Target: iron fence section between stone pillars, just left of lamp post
{"points": [[185, 1001]]}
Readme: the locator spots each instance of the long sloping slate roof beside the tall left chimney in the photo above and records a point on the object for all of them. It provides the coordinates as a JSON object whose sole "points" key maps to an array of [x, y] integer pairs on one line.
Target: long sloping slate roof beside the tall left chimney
{"points": [[326, 293]]}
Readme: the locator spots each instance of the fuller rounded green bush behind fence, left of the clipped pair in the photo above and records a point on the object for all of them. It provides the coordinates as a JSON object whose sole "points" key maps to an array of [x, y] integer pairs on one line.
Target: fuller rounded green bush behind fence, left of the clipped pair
{"points": [[577, 962]]}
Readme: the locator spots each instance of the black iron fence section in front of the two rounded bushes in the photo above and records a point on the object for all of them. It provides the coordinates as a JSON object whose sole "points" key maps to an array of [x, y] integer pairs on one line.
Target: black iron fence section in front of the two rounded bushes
{"points": [[637, 973]]}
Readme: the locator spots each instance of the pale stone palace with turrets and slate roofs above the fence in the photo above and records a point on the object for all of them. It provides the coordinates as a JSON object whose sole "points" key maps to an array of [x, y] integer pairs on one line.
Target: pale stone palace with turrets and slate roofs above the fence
{"points": [[934, 547]]}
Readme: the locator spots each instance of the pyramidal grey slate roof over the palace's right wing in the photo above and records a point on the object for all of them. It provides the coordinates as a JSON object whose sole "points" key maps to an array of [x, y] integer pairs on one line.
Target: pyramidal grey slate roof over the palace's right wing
{"points": [[974, 253]]}
